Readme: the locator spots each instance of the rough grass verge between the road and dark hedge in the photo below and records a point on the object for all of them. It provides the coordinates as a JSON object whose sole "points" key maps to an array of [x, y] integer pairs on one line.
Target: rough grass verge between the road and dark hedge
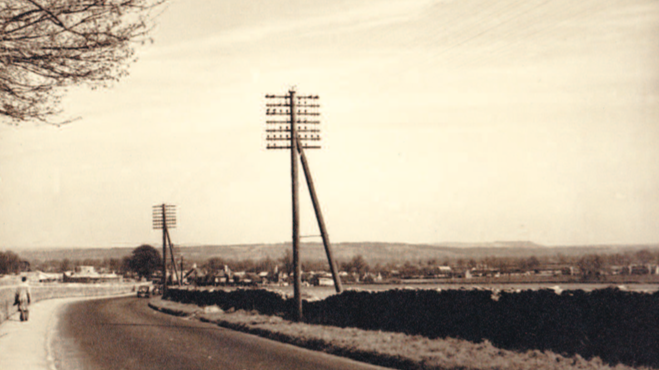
{"points": [[389, 349]]}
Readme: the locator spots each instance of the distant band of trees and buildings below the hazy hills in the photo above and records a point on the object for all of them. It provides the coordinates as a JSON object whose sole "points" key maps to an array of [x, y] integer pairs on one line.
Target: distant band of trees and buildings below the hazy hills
{"points": [[146, 255]]}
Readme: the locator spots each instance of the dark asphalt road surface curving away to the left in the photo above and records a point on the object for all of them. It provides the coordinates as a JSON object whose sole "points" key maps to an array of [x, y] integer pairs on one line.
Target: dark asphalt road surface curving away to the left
{"points": [[124, 333]]}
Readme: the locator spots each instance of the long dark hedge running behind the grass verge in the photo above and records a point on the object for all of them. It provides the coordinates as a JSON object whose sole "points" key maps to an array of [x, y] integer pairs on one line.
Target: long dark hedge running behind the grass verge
{"points": [[617, 326]]}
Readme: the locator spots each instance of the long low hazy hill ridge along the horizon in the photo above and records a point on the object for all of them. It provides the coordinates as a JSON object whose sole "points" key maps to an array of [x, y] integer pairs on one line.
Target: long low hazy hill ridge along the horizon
{"points": [[374, 252]]}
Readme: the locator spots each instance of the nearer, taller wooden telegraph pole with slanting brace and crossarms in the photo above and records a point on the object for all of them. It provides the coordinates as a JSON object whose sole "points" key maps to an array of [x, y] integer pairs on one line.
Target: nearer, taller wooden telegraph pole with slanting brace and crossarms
{"points": [[284, 133]]}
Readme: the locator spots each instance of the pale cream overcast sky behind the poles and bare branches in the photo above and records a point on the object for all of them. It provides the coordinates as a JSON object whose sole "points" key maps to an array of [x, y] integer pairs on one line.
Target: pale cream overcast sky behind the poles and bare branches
{"points": [[449, 120]]}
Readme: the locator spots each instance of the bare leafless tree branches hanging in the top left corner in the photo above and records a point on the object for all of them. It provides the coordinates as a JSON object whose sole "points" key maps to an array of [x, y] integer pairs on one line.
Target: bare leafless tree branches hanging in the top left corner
{"points": [[47, 45]]}
